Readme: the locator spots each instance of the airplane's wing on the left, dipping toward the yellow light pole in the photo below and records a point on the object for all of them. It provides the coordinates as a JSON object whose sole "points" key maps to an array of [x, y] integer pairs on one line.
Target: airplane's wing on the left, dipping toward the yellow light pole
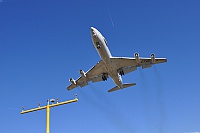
{"points": [[94, 74]]}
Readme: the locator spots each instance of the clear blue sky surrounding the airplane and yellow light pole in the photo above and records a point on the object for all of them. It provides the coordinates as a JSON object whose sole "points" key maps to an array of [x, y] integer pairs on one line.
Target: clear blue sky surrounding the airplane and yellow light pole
{"points": [[43, 43]]}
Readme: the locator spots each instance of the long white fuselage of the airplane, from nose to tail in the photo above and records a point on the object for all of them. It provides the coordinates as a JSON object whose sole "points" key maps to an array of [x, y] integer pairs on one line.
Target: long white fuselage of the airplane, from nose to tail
{"points": [[100, 44]]}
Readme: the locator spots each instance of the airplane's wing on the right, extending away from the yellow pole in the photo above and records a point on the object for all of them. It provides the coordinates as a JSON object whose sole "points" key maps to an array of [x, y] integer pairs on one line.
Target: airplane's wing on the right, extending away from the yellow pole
{"points": [[125, 65]]}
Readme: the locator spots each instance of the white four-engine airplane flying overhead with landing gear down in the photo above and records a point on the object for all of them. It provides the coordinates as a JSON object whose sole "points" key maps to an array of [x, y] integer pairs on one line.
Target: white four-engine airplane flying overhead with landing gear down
{"points": [[110, 66]]}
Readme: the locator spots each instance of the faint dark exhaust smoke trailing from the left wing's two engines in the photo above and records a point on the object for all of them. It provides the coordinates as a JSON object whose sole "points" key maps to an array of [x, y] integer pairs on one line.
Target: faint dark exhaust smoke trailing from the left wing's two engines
{"points": [[110, 111]]}
